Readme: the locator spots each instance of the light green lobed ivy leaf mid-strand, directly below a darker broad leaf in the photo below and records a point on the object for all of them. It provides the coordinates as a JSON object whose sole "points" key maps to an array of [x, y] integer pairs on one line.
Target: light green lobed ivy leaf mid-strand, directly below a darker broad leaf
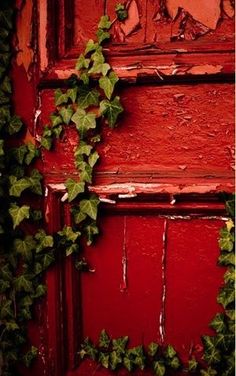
{"points": [[84, 121]]}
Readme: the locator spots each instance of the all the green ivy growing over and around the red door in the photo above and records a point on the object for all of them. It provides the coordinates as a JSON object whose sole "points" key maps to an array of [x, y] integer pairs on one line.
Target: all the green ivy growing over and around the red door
{"points": [[27, 251]]}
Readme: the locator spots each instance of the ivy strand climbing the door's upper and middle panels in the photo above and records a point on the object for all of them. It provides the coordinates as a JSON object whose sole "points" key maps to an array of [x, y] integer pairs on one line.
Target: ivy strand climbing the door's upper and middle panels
{"points": [[88, 102]]}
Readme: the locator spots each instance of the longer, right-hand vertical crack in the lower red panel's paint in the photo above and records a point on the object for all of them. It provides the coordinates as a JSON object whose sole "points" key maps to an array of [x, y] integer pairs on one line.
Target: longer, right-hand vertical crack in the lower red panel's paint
{"points": [[163, 275]]}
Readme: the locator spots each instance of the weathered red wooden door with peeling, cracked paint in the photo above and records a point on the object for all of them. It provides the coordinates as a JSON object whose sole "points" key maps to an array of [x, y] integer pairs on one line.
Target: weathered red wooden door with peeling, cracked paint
{"points": [[154, 274]]}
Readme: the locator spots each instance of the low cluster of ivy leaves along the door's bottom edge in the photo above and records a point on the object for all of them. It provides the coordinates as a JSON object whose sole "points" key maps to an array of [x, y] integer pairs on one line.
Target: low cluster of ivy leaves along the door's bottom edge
{"points": [[114, 354]]}
